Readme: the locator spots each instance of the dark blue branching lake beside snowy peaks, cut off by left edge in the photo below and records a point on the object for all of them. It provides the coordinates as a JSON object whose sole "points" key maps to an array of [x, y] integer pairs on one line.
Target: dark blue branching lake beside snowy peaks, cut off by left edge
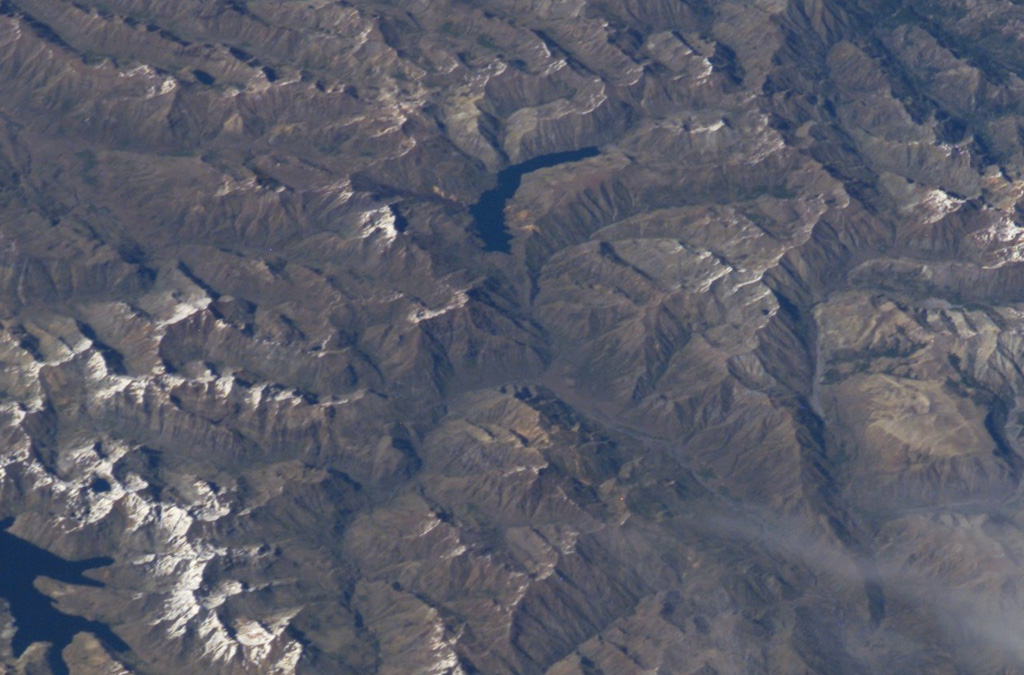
{"points": [[37, 619]]}
